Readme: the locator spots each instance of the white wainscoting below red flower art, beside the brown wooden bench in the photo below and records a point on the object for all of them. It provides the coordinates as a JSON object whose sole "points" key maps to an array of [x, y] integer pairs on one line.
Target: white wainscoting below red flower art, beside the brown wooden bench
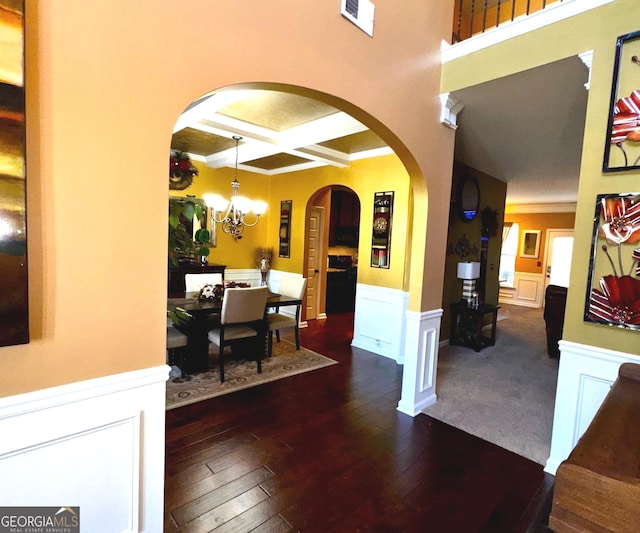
{"points": [[585, 375]]}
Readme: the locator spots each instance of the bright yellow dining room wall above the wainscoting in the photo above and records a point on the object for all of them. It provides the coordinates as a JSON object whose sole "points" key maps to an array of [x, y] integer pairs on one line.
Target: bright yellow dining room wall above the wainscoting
{"points": [[364, 177]]}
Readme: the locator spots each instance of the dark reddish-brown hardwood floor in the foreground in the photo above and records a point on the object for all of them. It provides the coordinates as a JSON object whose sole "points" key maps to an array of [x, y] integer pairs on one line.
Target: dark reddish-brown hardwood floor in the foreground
{"points": [[326, 451]]}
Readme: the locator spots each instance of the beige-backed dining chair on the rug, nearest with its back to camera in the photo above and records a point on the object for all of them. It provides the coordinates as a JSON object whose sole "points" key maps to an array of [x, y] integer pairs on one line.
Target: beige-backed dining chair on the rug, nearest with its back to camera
{"points": [[241, 317]]}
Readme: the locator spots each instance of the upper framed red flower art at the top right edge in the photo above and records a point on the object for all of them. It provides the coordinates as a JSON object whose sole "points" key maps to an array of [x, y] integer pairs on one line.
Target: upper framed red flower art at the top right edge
{"points": [[622, 149]]}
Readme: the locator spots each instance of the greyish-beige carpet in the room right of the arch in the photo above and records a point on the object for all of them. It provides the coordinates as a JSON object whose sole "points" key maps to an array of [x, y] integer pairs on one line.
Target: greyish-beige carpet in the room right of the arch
{"points": [[504, 394]]}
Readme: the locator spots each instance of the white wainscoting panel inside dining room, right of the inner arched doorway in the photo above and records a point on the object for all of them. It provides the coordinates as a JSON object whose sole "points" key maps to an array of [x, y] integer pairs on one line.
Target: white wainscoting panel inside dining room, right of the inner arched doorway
{"points": [[379, 321]]}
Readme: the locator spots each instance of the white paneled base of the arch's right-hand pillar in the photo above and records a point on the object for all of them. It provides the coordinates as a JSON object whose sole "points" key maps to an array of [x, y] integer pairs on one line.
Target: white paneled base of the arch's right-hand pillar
{"points": [[422, 334]]}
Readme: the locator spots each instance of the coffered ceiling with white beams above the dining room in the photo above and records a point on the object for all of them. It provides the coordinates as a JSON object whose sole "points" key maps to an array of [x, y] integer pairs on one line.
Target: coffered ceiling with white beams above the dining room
{"points": [[280, 132]]}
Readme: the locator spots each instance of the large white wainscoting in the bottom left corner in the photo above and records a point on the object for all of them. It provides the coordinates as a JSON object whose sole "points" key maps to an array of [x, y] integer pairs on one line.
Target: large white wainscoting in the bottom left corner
{"points": [[96, 444]]}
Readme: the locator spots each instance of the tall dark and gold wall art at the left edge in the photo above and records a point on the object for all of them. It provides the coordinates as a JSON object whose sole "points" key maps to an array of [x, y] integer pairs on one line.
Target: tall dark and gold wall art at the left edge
{"points": [[14, 311]]}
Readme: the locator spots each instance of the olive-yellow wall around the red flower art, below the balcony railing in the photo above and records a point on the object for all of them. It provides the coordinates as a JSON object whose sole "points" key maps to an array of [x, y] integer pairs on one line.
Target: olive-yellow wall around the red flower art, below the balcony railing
{"points": [[595, 30]]}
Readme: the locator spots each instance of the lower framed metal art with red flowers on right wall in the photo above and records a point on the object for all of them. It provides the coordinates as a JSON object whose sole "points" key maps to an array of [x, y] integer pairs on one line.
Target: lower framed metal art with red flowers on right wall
{"points": [[613, 285]]}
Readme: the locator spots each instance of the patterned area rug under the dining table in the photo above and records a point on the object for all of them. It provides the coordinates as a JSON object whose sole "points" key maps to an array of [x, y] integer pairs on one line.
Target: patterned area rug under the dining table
{"points": [[285, 361]]}
